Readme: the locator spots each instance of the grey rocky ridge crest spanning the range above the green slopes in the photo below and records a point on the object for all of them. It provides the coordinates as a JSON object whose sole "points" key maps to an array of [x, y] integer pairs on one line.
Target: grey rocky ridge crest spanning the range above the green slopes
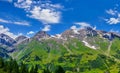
{"points": [[81, 34]]}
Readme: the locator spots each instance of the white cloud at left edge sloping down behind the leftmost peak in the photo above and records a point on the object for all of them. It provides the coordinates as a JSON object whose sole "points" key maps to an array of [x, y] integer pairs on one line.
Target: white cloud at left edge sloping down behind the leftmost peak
{"points": [[7, 32]]}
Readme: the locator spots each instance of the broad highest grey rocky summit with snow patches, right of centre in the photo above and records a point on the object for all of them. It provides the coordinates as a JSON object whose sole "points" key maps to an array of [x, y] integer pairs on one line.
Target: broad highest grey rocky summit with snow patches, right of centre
{"points": [[80, 34]]}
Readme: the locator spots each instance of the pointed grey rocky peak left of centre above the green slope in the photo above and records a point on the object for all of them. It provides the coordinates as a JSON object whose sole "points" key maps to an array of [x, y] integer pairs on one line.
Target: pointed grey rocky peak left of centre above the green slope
{"points": [[41, 35]]}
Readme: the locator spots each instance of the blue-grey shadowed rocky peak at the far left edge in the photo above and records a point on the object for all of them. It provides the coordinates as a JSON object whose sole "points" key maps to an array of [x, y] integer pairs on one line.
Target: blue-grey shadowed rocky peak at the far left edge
{"points": [[5, 40]]}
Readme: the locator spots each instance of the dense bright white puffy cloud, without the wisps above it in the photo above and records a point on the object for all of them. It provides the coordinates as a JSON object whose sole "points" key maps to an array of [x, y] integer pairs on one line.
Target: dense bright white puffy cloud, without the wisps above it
{"points": [[45, 15]]}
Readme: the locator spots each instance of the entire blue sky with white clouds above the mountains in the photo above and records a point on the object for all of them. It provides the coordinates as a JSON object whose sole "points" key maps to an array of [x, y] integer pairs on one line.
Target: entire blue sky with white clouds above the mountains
{"points": [[26, 17]]}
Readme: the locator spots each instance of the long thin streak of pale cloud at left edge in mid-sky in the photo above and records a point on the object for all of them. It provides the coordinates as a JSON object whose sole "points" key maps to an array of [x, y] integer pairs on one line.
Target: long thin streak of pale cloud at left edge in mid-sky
{"points": [[25, 23]]}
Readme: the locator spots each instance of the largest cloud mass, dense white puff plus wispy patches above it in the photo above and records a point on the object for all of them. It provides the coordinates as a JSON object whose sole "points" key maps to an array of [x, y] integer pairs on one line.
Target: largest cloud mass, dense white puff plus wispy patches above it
{"points": [[46, 12]]}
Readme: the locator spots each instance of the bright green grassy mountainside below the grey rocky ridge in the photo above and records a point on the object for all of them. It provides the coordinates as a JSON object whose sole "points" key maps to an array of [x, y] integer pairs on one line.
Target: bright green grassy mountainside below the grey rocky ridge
{"points": [[82, 59]]}
